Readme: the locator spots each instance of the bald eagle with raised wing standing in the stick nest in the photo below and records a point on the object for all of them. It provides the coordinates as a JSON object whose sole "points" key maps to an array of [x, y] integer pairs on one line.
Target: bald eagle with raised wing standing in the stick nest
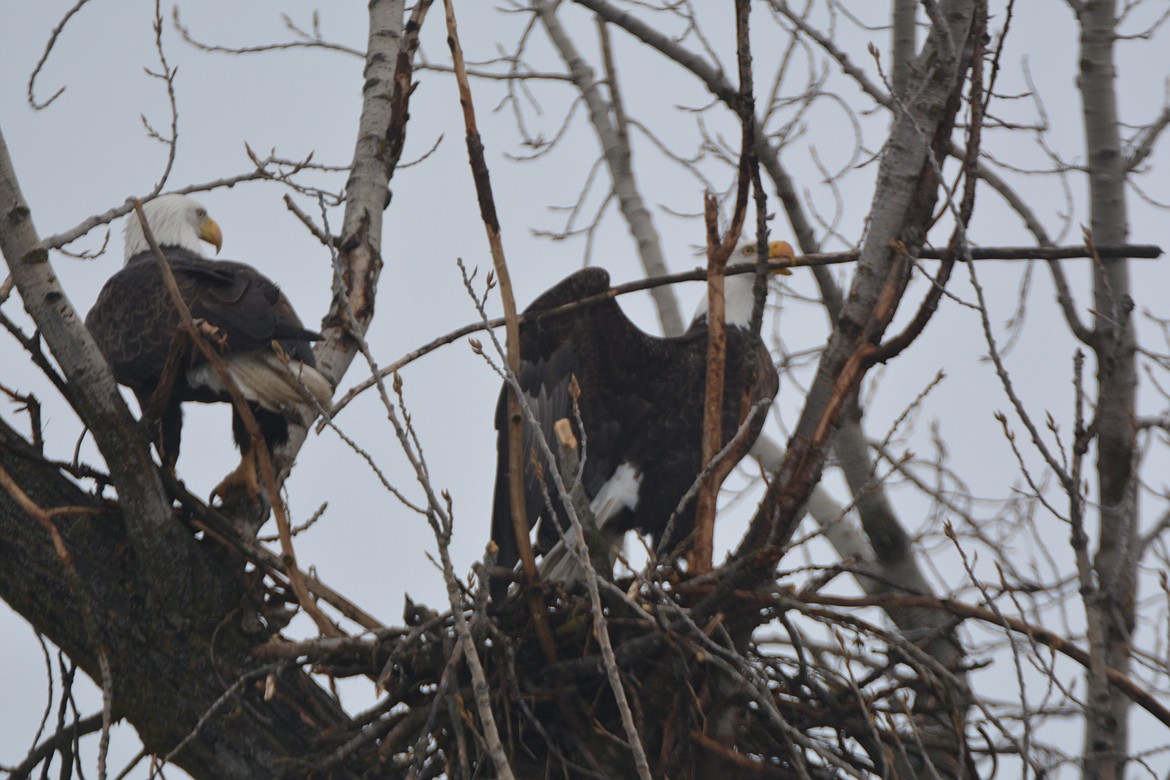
{"points": [[642, 408]]}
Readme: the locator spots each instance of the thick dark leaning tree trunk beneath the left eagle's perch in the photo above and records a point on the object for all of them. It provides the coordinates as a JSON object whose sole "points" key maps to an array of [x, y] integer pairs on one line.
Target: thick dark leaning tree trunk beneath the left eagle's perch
{"points": [[170, 664]]}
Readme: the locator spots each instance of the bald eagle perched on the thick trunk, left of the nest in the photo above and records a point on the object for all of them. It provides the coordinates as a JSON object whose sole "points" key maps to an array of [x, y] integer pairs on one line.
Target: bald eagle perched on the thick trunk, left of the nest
{"points": [[136, 327]]}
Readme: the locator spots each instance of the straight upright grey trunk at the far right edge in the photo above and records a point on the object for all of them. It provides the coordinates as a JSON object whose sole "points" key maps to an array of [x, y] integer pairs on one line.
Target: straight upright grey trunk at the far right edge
{"points": [[1113, 595]]}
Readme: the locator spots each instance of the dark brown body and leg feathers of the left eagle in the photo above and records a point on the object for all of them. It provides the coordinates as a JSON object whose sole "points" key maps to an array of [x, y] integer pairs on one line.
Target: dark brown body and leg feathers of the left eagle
{"points": [[135, 325]]}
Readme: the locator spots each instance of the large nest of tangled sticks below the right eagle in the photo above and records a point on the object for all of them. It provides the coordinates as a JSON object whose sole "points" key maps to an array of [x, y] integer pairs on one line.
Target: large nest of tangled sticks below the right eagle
{"points": [[816, 695]]}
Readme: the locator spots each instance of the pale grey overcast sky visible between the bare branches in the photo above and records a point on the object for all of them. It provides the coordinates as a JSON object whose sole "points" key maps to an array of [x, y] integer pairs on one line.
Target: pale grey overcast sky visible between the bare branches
{"points": [[88, 153]]}
